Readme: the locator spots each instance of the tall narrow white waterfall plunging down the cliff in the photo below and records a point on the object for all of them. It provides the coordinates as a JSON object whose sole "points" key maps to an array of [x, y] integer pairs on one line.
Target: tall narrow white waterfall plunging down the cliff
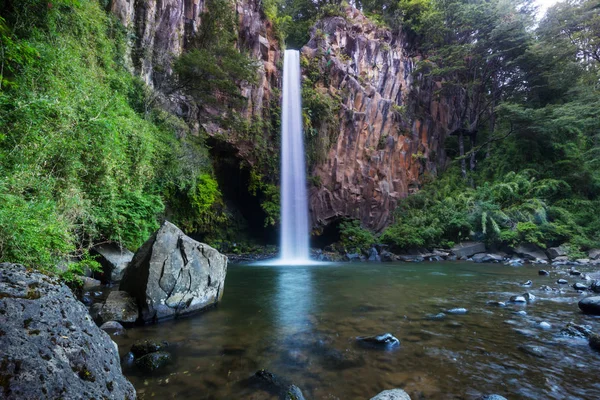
{"points": [[294, 204]]}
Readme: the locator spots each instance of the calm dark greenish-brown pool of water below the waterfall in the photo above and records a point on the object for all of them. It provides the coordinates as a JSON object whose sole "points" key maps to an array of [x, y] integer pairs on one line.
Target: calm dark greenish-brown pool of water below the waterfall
{"points": [[302, 323]]}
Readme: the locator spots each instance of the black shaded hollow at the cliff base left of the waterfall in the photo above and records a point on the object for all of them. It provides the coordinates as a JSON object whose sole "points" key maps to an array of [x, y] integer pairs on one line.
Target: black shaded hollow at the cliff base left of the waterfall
{"points": [[233, 176]]}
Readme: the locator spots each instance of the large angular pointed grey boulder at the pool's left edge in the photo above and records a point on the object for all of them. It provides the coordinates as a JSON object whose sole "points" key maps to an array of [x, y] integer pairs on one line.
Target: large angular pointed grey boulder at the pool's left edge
{"points": [[173, 275]]}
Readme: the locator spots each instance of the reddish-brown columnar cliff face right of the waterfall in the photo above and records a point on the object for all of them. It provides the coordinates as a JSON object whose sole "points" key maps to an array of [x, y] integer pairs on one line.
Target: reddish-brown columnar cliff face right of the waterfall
{"points": [[392, 126]]}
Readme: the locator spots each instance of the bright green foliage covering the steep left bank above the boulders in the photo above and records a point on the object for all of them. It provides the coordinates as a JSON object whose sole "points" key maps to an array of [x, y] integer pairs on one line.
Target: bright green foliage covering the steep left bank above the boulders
{"points": [[82, 158]]}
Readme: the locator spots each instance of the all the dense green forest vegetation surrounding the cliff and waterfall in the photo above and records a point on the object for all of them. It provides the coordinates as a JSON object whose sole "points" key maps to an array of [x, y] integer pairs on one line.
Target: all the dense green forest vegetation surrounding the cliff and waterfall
{"points": [[87, 153]]}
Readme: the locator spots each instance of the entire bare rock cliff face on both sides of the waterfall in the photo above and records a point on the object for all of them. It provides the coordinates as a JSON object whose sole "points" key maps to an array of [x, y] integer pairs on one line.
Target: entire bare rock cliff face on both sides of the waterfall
{"points": [[392, 125]]}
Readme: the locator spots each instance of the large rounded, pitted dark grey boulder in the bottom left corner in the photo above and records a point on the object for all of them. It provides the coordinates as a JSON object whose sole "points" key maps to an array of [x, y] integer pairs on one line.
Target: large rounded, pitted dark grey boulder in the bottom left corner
{"points": [[51, 348]]}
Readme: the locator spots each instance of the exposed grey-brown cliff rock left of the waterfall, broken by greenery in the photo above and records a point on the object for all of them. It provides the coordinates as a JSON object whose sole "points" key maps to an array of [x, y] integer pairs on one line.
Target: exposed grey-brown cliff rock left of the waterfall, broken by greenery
{"points": [[162, 30]]}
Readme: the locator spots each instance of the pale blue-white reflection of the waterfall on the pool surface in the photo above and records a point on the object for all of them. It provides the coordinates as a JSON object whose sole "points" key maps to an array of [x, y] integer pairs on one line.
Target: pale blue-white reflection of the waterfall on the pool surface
{"points": [[294, 299]]}
